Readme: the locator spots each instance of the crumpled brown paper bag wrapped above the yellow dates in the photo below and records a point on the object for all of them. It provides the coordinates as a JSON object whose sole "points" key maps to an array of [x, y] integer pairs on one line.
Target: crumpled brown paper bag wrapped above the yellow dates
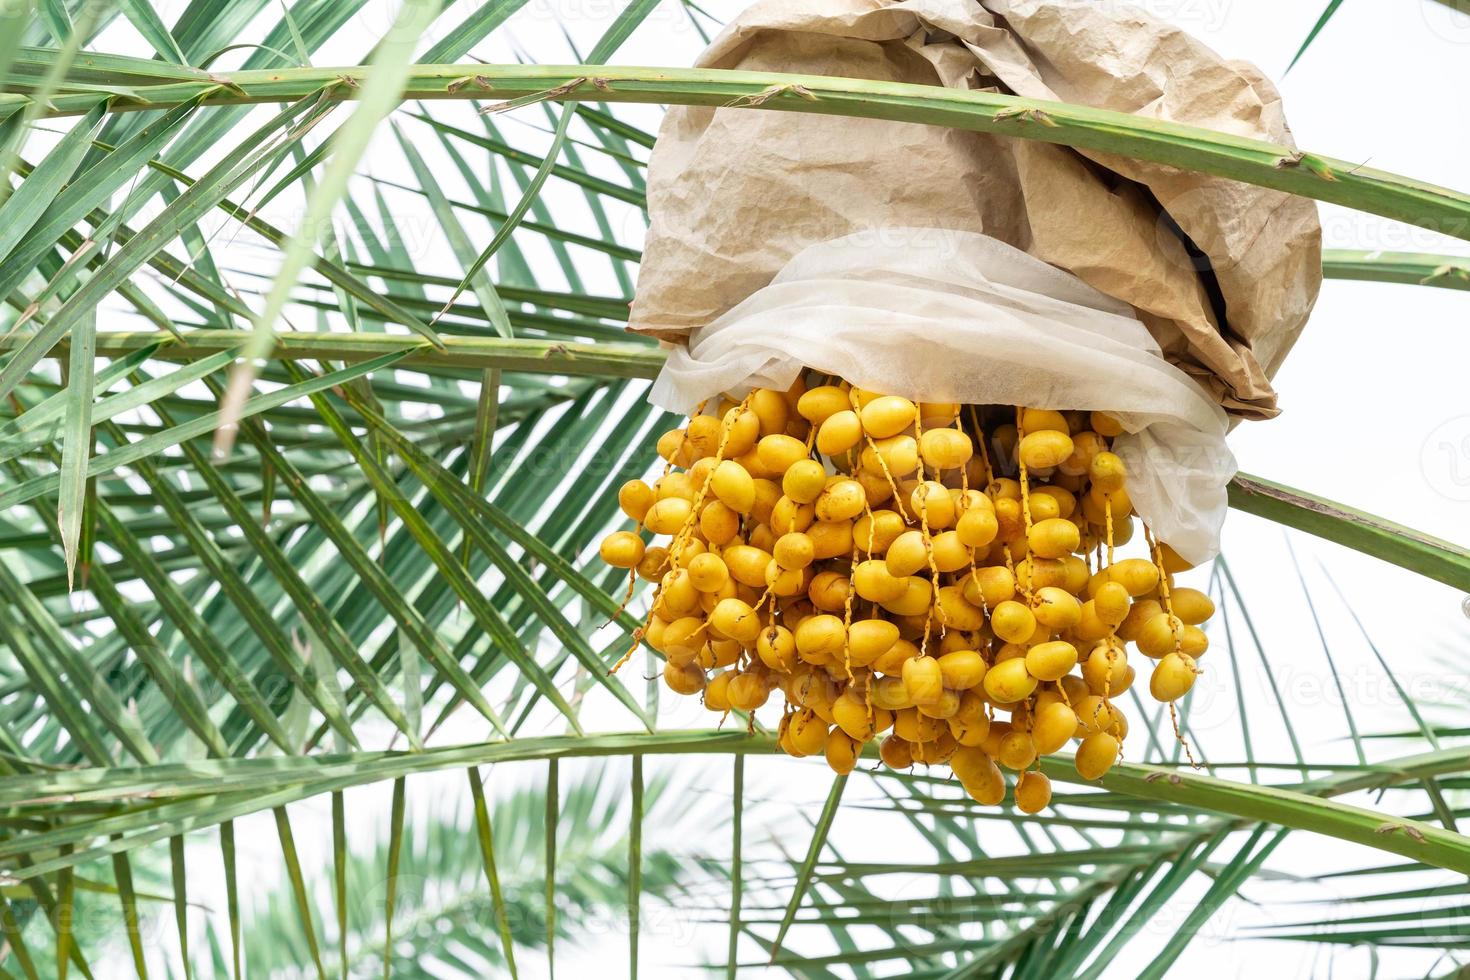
{"points": [[736, 193]]}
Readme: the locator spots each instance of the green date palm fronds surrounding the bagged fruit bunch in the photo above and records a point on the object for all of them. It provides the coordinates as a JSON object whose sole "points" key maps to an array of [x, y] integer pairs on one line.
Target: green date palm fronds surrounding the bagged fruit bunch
{"points": [[299, 512]]}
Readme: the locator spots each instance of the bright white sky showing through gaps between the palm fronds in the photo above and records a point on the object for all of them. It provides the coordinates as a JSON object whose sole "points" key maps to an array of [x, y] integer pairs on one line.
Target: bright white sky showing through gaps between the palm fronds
{"points": [[1377, 417]]}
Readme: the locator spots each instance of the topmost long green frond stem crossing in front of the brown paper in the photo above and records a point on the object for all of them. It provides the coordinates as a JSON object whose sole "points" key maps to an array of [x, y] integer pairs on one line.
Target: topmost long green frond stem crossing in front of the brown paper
{"points": [[1193, 149]]}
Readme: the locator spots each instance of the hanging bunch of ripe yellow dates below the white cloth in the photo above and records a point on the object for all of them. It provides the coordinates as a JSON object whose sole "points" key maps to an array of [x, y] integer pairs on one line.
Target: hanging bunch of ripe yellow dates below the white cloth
{"points": [[937, 577]]}
